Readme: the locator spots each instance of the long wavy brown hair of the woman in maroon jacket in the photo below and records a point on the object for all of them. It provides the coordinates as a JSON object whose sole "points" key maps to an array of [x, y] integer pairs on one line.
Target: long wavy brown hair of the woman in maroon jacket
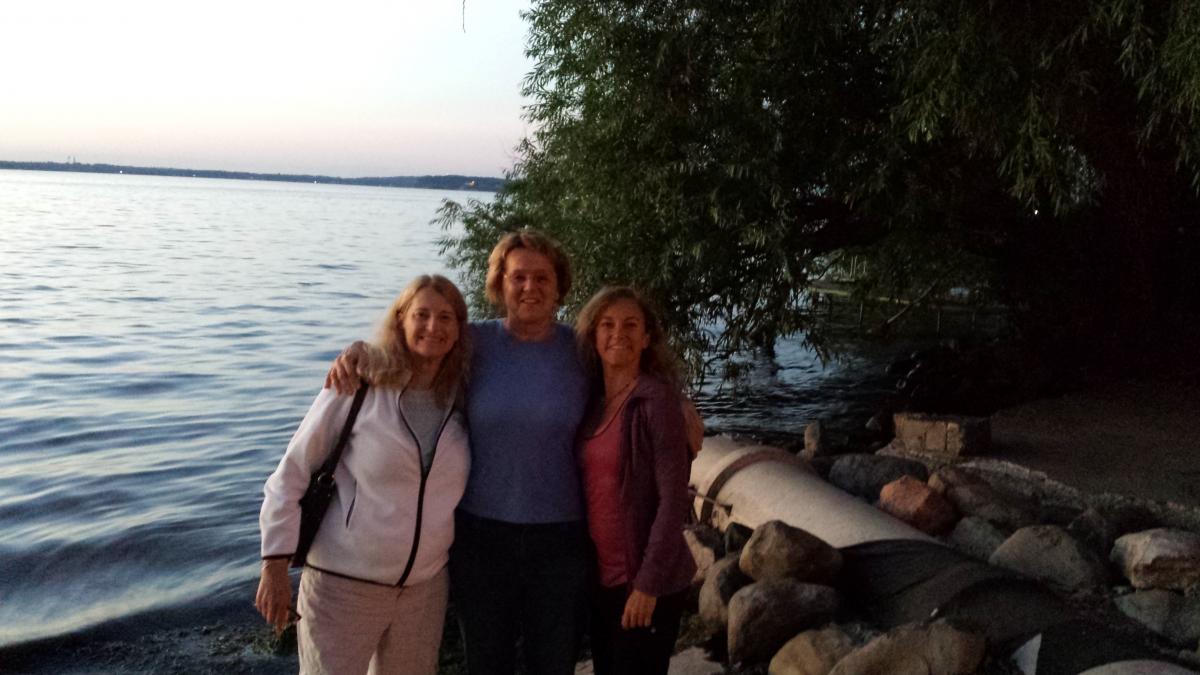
{"points": [[657, 360]]}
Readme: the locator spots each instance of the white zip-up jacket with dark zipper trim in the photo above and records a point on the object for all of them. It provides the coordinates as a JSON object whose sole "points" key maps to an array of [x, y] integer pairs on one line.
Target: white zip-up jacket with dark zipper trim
{"points": [[389, 523]]}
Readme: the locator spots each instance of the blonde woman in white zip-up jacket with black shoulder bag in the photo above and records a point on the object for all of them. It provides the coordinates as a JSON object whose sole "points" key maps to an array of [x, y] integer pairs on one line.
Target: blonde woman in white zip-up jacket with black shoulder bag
{"points": [[375, 587]]}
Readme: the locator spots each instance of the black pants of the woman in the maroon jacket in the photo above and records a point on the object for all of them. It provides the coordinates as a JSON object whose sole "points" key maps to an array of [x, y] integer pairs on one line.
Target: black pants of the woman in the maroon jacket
{"points": [[635, 652]]}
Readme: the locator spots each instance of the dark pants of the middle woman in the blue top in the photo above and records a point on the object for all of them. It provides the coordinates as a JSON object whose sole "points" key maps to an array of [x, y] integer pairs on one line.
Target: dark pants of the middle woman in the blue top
{"points": [[526, 583]]}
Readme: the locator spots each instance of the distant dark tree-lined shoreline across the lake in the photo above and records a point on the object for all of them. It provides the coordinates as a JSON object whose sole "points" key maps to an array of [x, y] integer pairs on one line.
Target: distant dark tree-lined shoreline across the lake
{"points": [[453, 182]]}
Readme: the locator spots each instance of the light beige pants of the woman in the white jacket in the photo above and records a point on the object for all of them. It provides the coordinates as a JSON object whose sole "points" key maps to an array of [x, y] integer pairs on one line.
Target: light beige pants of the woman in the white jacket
{"points": [[351, 628]]}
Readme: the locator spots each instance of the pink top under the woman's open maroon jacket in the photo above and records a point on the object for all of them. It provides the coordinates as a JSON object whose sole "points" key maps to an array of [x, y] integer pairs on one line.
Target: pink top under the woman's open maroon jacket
{"points": [[602, 486]]}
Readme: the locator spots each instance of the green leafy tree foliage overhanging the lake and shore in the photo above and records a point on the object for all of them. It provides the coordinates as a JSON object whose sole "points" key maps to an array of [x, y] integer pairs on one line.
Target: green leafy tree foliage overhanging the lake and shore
{"points": [[721, 154]]}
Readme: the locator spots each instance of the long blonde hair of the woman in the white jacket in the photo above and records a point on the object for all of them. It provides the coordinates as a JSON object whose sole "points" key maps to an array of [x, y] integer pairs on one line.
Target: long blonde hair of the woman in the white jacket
{"points": [[391, 363]]}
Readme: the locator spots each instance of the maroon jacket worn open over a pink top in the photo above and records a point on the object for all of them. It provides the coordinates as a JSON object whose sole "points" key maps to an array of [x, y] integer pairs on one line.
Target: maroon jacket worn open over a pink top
{"points": [[655, 471]]}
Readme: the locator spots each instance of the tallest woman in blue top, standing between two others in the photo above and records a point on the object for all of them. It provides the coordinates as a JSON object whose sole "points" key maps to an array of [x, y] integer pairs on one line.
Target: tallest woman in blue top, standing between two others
{"points": [[521, 553]]}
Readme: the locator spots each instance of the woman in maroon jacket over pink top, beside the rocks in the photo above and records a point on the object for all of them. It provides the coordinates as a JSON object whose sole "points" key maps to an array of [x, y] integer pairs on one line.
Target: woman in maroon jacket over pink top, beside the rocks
{"points": [[635, 461]]}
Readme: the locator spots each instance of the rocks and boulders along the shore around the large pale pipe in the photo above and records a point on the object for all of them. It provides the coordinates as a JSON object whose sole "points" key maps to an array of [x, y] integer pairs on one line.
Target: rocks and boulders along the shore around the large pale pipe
{"points": [[777, 600]]}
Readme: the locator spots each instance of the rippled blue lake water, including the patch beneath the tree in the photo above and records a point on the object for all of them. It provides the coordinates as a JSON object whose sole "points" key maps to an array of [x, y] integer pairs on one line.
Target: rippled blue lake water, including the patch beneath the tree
{"points": [[160, 341]]}
